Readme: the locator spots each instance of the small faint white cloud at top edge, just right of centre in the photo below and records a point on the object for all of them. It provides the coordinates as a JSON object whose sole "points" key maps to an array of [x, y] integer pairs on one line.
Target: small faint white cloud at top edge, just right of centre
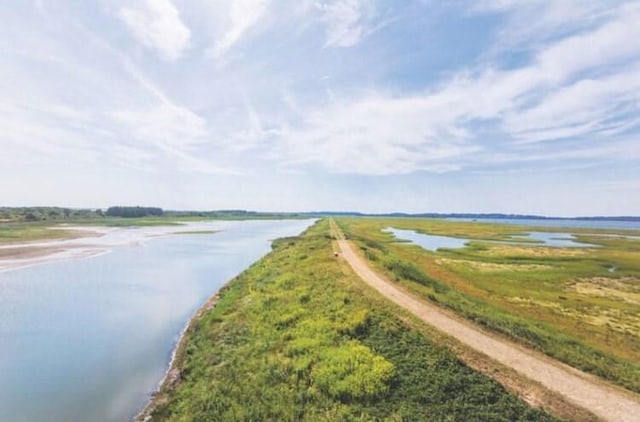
{"points": [[348, 21]]}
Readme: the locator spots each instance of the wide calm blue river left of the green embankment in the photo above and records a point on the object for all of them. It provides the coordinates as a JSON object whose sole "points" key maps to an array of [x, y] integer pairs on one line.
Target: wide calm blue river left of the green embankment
{"points": [[91, 339]]}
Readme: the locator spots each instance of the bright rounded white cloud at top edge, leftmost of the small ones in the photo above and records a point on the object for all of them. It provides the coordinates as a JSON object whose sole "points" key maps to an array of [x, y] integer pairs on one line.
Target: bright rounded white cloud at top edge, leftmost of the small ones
{"points": [[156, 24]]}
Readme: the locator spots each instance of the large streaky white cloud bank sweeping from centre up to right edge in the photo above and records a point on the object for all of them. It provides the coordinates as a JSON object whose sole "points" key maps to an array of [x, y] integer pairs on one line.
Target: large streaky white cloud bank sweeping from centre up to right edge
{"points": [[559, 94]]}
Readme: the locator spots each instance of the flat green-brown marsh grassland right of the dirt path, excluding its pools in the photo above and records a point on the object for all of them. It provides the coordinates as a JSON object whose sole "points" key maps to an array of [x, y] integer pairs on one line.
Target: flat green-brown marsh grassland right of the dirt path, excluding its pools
{"points": [[565, 302]]}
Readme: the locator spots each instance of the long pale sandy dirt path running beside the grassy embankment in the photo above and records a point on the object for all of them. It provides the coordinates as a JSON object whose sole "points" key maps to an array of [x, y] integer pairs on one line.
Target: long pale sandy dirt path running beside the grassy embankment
{"points": [[607, 402]]}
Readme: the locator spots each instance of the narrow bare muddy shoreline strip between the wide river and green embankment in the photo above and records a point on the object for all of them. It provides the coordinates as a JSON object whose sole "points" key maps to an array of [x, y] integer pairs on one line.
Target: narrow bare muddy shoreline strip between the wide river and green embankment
{"points": [[172, 374]]}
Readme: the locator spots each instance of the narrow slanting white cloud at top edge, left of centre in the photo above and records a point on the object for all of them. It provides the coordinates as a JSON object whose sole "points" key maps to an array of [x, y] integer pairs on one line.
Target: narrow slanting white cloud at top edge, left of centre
{"points": [[241, 16]]}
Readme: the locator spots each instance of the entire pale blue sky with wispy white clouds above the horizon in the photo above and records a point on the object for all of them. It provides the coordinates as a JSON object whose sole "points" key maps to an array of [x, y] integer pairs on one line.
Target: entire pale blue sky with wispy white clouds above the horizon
{"points": [[298, 105]]}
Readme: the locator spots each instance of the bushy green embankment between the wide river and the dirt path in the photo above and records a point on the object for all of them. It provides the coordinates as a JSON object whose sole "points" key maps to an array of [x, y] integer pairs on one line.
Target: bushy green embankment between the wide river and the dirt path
{"points": [[298, 337]]}
